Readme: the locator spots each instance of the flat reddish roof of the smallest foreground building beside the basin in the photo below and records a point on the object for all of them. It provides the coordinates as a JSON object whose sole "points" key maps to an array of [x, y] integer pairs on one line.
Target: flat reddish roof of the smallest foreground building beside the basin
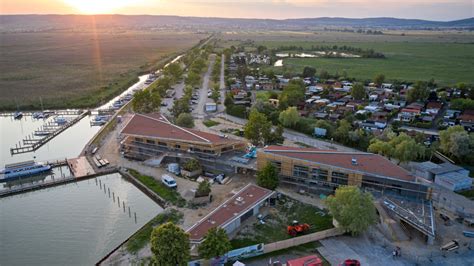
{"points": [[231, 209]]}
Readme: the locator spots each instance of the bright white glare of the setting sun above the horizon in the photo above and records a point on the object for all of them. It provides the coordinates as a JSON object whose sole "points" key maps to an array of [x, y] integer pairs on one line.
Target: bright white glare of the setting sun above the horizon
{"points": [[98, 6]]}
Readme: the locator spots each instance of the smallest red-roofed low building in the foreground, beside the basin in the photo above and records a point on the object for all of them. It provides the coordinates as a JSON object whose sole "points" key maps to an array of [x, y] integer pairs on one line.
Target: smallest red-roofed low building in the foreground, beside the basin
{"points": [[232, 213]]}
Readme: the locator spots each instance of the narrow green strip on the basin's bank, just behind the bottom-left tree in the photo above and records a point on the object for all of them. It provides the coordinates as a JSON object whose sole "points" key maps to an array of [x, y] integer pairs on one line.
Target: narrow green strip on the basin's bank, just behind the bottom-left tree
{"points": [[142, 237]]}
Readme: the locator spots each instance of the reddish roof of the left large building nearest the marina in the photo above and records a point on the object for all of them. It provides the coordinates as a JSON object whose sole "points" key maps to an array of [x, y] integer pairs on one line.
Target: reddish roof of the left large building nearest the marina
{"points": [[157, 126]]}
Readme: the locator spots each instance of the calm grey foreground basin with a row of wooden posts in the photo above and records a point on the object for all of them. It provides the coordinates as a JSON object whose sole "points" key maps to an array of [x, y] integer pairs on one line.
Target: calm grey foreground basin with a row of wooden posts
{"points": [[73, 224]]}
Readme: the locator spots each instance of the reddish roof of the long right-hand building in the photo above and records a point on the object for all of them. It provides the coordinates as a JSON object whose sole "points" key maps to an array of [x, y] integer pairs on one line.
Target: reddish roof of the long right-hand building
{"points": [[366, 162]]}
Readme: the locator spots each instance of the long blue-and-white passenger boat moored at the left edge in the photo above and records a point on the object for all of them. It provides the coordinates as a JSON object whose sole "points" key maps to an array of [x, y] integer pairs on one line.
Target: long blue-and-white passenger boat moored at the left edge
{"points": [[18, 170]]}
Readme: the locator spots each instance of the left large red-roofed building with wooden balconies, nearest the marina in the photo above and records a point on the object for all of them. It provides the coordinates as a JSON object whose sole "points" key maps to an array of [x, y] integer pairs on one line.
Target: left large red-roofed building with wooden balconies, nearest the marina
{"points": [[153, 136]]}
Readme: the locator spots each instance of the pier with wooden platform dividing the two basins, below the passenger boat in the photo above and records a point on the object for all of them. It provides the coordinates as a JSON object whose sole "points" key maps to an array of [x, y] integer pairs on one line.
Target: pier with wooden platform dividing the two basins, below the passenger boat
{"points": [[80, 169]]}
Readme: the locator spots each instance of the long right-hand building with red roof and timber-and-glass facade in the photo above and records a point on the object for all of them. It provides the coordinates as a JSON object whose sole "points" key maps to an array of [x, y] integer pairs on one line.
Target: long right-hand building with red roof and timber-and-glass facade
{"points": [[316, 170]]}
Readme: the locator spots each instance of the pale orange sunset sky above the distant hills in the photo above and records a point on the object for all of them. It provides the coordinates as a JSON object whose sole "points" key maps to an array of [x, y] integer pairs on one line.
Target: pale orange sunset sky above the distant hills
{"points": [[279, 9]]}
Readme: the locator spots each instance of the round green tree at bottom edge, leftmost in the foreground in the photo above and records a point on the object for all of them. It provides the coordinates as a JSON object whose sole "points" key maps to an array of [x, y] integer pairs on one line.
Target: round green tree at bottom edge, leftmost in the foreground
{"points": [[170, 245]]}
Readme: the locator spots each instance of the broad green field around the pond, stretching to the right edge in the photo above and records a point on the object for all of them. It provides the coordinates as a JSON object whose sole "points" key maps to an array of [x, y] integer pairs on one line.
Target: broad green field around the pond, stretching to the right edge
{"points": [[445, 56]]}
